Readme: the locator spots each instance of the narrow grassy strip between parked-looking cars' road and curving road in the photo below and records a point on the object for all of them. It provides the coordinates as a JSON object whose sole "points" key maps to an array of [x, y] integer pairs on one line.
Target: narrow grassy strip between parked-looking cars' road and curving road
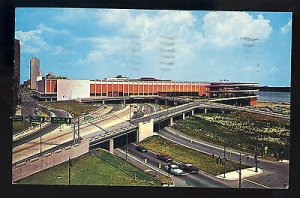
{"points": [[180, 153]]}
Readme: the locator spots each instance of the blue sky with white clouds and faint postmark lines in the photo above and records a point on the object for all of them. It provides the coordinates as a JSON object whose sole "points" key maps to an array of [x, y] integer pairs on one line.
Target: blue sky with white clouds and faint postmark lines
{"points": [[176, 45]]}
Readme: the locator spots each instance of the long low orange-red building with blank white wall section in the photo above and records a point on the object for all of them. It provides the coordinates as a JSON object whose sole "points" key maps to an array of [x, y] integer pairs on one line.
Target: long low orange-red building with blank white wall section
{"points": [[51, 88]]}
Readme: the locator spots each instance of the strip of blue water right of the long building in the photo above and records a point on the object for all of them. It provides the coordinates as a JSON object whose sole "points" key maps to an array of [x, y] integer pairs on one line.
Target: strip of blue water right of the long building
{"points": [[274, 96]]}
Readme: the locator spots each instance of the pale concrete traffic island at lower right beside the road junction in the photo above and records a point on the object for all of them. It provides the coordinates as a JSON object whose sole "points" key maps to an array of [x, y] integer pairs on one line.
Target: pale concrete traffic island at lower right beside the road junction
{"points": [[234, 175]]}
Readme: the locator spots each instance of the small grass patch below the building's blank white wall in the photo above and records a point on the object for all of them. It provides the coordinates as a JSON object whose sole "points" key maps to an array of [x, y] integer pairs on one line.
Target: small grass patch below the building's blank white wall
{"points": [[73, 107]]}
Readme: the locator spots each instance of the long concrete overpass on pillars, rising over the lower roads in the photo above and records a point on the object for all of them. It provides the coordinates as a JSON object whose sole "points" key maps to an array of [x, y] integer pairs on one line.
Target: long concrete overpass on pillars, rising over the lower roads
{"points": [[145, 126]]}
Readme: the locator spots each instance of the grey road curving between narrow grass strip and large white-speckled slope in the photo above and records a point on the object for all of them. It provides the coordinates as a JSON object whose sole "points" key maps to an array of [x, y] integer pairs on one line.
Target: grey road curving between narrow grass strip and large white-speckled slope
{"points": [[275, 174]]}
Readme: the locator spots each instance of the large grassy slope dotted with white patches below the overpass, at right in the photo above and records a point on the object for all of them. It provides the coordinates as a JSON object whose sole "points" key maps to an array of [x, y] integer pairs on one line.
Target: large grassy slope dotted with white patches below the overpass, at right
{"points": [[240, 131]]}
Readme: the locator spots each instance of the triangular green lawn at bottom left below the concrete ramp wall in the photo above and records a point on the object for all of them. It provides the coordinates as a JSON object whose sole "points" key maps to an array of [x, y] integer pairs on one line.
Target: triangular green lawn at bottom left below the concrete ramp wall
{"points": [[94, 168]]}
